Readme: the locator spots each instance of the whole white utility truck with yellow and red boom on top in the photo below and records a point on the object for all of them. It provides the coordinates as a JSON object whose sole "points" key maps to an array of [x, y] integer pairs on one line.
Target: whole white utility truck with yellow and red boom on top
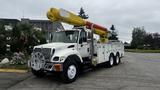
{"points": [[72, 51]]}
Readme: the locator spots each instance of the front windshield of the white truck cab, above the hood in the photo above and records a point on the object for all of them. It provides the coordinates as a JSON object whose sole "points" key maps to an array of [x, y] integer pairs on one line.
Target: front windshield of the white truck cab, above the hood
{"points": [[65, 36]]}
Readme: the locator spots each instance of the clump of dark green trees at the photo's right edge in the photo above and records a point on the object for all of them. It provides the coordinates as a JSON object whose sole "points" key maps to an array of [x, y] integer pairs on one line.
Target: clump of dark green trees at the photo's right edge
{"points": [[143, 40]]}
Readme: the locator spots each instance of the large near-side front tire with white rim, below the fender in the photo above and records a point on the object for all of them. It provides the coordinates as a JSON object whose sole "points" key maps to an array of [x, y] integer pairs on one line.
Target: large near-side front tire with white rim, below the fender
{"points": [[70, 71]]}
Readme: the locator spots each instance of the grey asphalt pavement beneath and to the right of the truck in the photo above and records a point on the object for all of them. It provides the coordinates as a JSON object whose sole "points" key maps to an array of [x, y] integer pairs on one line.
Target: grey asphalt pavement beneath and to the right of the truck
{"points": [[138, 71]]}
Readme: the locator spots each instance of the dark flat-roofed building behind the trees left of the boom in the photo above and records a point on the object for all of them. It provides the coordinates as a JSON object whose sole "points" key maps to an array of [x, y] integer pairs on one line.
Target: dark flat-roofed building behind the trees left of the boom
{"points": [[42, 25]]}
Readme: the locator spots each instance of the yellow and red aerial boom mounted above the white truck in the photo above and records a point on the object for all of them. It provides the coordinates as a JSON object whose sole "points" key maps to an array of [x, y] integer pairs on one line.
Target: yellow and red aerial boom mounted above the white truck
{"points": [[68, 17]]}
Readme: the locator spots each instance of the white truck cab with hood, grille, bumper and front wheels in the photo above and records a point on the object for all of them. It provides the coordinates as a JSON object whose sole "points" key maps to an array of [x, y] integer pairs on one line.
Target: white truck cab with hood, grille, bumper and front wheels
{"points": [[68, 46]]}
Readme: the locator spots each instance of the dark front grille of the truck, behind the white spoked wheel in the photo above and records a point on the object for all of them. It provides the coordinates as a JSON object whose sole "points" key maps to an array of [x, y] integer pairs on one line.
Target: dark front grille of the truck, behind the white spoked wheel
{"points": [[45, 51]]}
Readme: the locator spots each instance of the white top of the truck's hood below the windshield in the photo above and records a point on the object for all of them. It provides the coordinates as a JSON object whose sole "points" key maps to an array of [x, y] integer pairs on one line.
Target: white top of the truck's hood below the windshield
{"points": [[54, 45]]}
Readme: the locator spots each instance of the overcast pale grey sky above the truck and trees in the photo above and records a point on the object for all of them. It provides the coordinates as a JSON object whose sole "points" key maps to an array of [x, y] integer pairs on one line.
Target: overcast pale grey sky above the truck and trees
{"points": [[124, 14]]}
